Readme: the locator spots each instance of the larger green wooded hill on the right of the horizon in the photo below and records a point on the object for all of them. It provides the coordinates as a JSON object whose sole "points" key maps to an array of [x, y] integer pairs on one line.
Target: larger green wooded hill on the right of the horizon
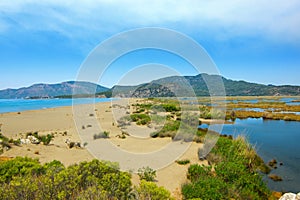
{"points": [[197, 85]]}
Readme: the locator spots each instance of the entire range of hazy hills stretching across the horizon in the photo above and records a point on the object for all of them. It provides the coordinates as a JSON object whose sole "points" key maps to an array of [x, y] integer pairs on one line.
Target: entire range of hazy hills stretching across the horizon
{"points": [[199, 85]]}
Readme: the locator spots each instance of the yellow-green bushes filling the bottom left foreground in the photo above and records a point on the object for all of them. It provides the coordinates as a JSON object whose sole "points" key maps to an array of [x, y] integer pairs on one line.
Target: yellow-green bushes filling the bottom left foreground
{"points": [[25, 178]]}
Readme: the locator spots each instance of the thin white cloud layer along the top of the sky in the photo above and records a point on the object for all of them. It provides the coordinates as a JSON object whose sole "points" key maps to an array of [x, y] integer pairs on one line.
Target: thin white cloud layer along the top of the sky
{"points": [[278, 20]]}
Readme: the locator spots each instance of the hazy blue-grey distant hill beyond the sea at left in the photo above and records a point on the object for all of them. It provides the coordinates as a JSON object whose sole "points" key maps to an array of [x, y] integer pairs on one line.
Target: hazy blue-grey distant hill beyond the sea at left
{"points": [[52, 90]]}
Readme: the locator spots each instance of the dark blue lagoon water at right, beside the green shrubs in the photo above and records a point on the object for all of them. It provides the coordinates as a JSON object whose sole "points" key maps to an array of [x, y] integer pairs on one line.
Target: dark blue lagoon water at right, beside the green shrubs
{"points": [[273, 139]]}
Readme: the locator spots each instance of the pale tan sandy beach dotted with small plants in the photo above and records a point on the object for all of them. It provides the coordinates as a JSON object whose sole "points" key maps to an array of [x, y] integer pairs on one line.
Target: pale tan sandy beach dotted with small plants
{"points": [[81, 123]]}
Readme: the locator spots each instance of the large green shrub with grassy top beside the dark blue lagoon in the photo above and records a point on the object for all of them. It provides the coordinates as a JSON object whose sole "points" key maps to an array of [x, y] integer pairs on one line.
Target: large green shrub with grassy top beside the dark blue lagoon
{"points": [[235, 173]]}
